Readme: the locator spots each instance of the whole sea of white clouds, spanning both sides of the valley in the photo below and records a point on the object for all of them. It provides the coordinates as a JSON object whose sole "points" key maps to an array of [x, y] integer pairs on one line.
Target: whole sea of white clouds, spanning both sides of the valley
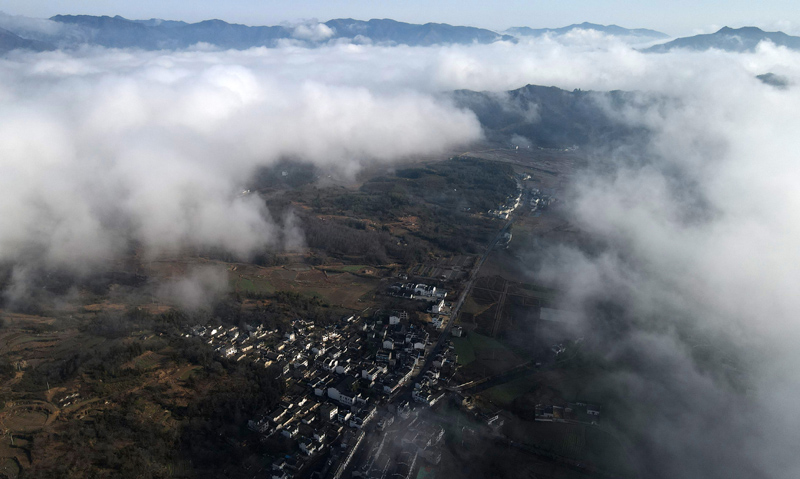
{"points": [[101, 149]]}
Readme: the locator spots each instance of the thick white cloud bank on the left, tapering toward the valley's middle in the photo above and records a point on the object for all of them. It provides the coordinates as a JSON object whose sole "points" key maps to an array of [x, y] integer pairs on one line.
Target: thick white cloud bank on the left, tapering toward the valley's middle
{"points": [[100, 147]]}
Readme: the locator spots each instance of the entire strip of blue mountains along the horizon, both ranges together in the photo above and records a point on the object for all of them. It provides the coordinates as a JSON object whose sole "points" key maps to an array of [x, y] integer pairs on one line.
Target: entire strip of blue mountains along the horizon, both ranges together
{"points": [[71, 31]]}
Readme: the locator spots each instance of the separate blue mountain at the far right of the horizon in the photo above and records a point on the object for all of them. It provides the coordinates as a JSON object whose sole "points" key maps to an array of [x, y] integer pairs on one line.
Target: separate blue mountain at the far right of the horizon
{"points": [[743, 39]]}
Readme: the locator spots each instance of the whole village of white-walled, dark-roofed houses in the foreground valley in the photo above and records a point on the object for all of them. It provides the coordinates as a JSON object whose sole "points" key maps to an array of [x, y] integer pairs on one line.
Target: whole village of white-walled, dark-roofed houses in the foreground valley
{"points": [[344, 382]]}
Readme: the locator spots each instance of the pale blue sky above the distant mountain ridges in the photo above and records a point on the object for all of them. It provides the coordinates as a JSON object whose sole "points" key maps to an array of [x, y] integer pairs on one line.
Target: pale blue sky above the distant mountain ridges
{"points": [[676, 17]]}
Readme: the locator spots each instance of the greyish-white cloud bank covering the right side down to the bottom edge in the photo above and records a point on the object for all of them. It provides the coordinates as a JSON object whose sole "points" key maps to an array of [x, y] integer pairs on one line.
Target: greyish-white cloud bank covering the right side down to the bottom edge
{"points": [[701, 228]]}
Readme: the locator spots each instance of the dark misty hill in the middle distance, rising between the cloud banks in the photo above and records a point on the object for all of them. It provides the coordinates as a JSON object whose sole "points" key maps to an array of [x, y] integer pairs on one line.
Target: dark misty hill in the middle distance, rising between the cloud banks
{"points": [[549, 117]]}
